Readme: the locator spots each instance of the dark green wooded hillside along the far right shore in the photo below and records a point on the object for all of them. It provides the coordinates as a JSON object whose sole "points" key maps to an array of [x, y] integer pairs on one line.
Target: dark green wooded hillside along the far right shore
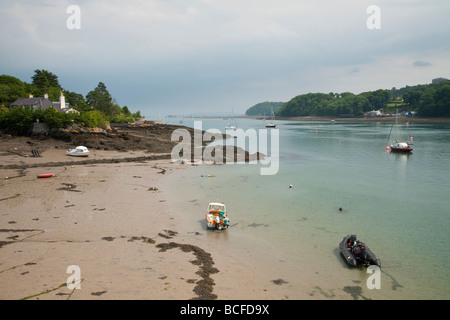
{"points": [[431, 100]]}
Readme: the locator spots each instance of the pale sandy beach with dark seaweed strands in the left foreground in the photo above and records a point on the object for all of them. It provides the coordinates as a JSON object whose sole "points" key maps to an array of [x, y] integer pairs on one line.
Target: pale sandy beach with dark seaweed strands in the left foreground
{"points": [[103, 230]]}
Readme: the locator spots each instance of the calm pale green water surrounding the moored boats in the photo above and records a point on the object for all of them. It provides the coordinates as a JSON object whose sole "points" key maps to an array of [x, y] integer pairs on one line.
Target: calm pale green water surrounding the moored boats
{"points": [[398, 204]]}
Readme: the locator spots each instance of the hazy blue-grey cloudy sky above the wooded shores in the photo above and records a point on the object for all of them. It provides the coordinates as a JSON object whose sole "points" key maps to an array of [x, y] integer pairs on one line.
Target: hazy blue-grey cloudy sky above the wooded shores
{"points": [[199, 56]]}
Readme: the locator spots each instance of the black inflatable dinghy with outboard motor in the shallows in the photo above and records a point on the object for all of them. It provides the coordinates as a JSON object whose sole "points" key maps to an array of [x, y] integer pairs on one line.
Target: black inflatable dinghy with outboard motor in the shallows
{"points": [[356, 253]]}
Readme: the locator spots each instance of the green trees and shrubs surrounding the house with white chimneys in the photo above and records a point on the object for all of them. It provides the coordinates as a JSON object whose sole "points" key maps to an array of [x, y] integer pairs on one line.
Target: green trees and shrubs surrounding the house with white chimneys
{"points": [[97, 109]]}
